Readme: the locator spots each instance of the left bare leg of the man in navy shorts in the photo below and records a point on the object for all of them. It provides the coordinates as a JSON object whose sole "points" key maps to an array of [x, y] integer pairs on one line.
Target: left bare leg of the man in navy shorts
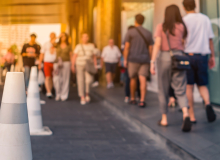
{"points": [[189, 93]]}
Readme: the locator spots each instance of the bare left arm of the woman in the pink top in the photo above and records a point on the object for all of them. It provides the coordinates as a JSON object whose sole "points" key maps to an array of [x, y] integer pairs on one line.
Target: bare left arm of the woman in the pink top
{"points": [[156, 50]]}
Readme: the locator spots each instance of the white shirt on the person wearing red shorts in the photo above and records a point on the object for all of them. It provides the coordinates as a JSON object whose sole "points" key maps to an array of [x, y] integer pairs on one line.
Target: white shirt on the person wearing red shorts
{"points": [[46, 50]]}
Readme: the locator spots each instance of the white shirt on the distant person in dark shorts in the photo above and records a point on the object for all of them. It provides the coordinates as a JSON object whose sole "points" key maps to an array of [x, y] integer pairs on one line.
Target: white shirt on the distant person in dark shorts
{"points": [[111, 54]]}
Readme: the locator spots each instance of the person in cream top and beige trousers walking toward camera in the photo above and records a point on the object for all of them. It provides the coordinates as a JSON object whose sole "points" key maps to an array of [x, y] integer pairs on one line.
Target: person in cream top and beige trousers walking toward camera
{"points": [[83, 53]]}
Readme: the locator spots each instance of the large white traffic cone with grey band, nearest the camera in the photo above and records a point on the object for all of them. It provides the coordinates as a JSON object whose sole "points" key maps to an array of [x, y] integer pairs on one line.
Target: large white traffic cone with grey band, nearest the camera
{"points": [[15, 141]]}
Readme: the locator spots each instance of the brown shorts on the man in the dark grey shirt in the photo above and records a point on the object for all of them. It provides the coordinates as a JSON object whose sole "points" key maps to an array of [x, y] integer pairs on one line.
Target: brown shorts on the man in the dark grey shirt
{"points": [[138, 69]]}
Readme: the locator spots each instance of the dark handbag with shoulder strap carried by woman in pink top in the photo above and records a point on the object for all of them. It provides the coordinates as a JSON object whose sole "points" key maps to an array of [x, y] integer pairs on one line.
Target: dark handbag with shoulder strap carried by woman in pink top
{"points": [[179, 62]]}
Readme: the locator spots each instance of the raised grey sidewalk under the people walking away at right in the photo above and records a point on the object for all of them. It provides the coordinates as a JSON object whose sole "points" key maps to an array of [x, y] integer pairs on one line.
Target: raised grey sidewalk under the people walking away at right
{"points": [[204, 140]]}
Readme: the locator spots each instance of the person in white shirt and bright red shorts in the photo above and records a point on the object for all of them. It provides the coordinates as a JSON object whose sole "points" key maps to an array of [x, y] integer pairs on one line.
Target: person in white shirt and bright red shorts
{"points": [[48, 55]]}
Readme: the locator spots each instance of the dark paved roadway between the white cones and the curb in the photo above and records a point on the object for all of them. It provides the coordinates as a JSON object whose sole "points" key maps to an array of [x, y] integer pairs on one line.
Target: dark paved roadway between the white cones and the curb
{"points": [[94, 132]]}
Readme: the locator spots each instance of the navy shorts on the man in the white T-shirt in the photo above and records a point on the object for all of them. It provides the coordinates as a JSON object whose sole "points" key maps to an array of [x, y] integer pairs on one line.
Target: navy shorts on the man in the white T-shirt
{"points": [[198, 74]]}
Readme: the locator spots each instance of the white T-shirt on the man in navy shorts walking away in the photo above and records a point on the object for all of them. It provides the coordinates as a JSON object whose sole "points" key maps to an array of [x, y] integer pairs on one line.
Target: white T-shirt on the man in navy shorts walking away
{"points": [[199, 33]]}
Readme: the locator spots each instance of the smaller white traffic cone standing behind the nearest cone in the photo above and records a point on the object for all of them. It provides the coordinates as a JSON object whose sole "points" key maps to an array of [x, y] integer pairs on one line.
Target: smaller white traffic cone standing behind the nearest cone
{"points": [[34, 107]]}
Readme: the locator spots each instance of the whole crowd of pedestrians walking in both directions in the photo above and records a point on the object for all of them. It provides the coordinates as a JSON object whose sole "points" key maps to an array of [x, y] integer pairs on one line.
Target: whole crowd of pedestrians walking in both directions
{"points": [[188, 38]]}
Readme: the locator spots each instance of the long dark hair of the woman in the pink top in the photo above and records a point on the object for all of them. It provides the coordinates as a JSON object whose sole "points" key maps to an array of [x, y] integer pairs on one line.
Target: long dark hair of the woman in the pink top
{"points": [[173, 16]]}
